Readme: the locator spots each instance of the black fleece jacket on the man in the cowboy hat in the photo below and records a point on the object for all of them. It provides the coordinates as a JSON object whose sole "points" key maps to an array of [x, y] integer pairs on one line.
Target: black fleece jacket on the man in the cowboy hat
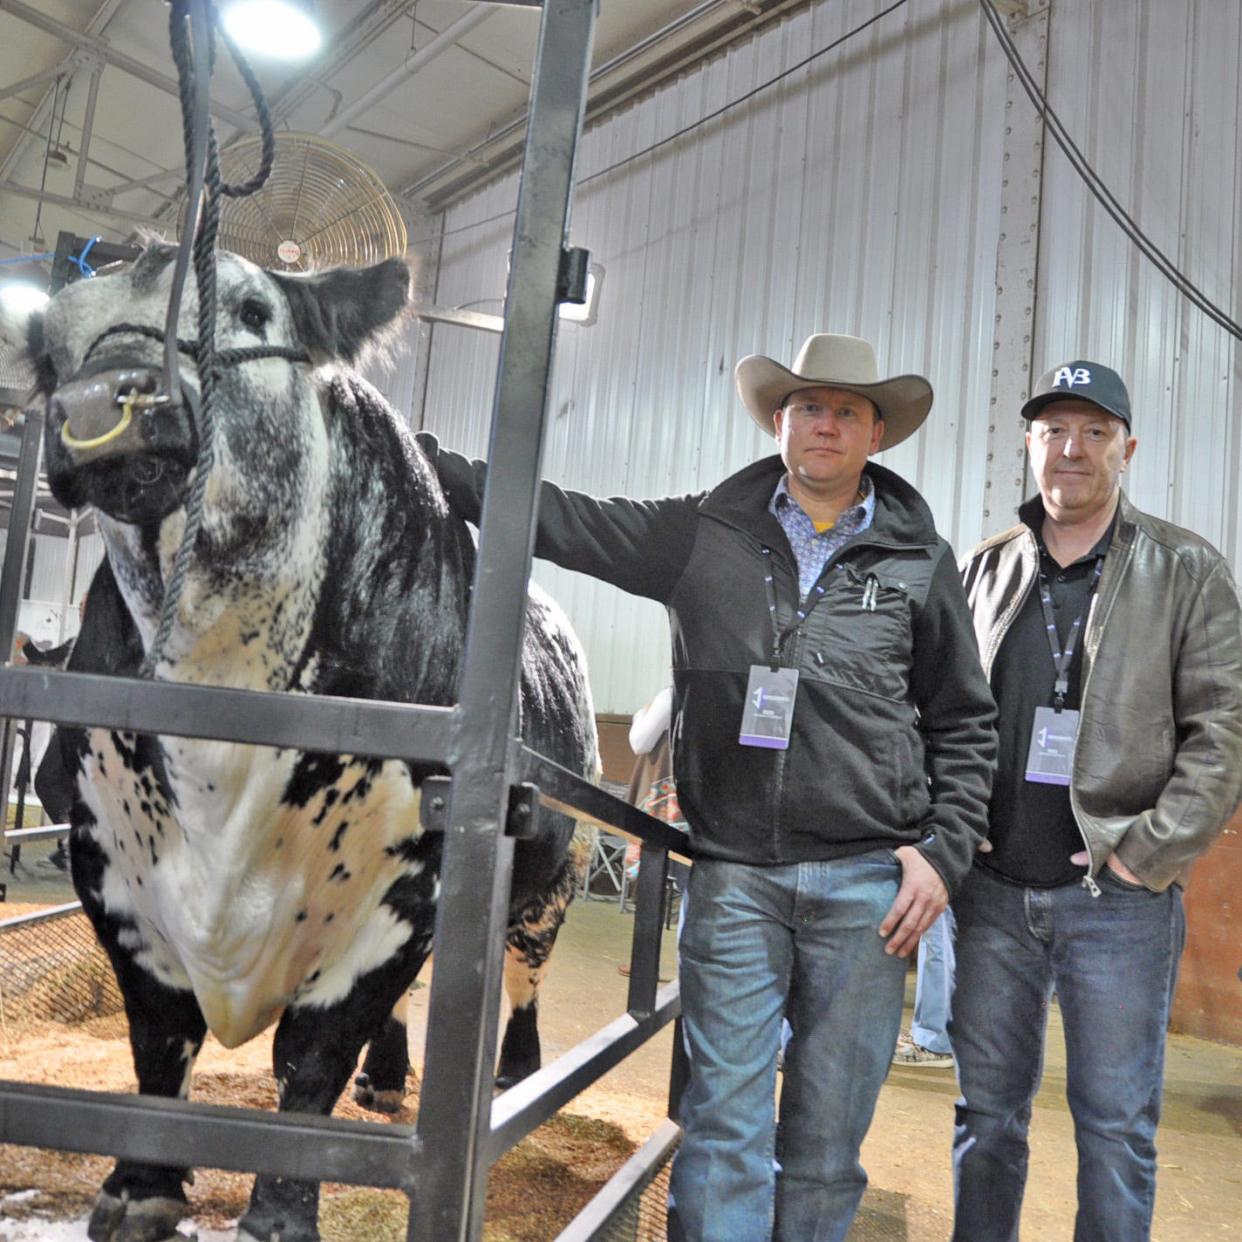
{"points": [[894, 738]]}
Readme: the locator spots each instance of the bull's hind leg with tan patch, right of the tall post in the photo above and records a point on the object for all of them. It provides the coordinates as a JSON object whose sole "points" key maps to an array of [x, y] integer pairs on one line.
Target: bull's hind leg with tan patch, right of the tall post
{"points": [[528, 948]]}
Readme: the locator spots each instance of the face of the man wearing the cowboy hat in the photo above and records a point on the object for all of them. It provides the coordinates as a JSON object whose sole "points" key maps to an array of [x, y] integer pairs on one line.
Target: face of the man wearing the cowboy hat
{"points": [[827, 437]]}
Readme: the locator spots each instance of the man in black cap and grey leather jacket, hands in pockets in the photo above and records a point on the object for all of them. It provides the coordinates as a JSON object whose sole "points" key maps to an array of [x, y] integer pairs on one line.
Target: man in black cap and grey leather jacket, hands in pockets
{"points": [[1115, 649]]}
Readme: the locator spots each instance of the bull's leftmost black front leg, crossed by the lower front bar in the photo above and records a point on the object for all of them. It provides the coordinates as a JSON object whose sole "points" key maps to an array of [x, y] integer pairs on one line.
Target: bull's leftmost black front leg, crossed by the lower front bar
{"points": [[143, 1203]]}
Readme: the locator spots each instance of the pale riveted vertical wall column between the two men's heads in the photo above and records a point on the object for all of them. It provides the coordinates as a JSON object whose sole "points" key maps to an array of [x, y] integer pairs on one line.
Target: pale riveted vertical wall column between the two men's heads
{"points": [[1018, 274]]}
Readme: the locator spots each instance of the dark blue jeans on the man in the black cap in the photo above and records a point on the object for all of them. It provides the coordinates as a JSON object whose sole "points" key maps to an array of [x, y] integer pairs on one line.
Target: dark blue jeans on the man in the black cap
{"points": [[1113, 964]]}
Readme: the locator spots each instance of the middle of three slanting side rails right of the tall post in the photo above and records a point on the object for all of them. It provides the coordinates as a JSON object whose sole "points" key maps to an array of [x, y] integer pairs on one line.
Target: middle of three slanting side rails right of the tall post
{"points": [[527, 1106]]}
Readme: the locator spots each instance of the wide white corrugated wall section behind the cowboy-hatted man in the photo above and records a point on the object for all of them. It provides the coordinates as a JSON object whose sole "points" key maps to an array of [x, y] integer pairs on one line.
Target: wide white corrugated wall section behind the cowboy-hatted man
{"points": [[859, 196]]}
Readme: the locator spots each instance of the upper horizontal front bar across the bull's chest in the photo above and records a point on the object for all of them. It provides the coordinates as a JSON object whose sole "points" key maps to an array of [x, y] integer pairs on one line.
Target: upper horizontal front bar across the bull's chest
{"points": [[338, 726]]}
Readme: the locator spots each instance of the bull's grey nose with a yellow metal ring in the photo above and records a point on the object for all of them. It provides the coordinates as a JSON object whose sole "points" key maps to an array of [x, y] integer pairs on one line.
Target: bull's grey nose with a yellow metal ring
{"points": [[107, 414]]}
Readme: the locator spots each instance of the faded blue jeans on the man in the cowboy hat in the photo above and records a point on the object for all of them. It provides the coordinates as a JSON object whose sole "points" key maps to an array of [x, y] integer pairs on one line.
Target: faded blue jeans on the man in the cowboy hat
{"points": [[758, 942]]}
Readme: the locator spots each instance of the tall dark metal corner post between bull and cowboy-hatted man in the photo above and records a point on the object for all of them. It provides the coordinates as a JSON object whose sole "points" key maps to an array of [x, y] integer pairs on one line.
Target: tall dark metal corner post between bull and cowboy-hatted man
{"points": [[455, 1108]]}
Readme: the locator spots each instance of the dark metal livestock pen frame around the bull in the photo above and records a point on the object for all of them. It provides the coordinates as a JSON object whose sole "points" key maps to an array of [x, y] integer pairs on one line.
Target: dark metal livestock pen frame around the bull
{"points": [[494, 792]]}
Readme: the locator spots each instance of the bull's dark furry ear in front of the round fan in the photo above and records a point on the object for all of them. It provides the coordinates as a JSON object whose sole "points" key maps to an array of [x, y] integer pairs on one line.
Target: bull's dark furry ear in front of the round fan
{"points": [[337, 315]]}
